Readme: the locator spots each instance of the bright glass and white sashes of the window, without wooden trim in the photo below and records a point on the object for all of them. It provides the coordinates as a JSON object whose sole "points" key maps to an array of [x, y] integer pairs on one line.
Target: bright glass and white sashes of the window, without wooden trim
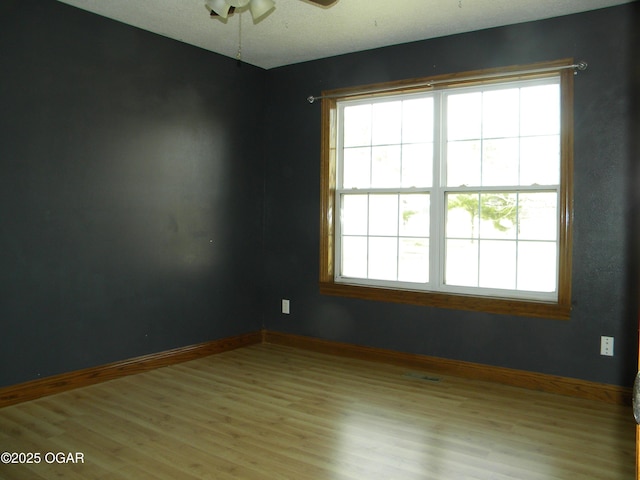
{"points": [[498, 185]]}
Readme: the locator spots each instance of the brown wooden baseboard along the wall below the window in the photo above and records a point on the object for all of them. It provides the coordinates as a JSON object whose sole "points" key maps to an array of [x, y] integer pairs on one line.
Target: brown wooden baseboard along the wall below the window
{"points": [[517, 378]]}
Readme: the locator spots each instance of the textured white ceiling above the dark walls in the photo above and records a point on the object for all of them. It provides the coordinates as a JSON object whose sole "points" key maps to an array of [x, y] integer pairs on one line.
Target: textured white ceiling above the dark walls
{"points": [[297, 30]]}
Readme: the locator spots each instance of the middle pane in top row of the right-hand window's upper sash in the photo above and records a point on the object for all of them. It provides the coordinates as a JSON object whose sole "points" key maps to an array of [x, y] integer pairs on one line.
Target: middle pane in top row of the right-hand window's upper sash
{"points": [[500, 113]]}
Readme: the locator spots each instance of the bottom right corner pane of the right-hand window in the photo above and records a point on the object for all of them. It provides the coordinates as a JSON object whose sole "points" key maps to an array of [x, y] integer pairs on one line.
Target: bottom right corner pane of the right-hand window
{"points": [[537, 266]]}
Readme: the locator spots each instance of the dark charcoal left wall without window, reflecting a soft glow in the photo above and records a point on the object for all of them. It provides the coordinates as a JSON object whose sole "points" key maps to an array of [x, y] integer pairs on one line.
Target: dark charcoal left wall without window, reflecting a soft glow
{"points": [[130, 200]]}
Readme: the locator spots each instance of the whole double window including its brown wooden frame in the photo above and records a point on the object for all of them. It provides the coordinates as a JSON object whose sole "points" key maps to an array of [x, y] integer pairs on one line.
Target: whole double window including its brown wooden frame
{"points": [[453, 191]]}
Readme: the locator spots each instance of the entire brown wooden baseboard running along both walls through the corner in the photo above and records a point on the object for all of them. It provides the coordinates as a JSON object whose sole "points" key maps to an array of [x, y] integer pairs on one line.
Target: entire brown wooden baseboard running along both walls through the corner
{"points": [[517, 378]]}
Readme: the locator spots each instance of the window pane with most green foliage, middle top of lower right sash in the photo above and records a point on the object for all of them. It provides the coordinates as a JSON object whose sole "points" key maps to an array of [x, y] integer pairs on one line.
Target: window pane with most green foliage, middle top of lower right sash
{"points": [[499, 215]]}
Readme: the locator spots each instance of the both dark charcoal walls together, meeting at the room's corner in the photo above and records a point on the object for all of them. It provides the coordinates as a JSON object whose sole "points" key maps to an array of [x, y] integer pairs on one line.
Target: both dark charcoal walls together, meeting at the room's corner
{"points": [[136, 217]]}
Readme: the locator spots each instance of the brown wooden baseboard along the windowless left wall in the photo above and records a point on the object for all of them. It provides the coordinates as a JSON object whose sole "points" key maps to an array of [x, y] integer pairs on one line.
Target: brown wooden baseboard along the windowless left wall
{"points": [[89, 376]]}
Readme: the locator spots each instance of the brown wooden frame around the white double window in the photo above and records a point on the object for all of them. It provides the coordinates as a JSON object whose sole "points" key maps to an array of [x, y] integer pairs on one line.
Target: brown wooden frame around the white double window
{"points": [[560, 309]]}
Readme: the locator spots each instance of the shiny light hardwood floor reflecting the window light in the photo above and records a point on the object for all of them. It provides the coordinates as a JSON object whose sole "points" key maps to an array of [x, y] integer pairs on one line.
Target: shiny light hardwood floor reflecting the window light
{"points": [[274, 412]]}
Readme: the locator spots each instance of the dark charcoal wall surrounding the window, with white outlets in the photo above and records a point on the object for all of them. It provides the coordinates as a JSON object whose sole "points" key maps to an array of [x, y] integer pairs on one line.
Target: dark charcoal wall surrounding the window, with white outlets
{"points": [[602, 274]]}
